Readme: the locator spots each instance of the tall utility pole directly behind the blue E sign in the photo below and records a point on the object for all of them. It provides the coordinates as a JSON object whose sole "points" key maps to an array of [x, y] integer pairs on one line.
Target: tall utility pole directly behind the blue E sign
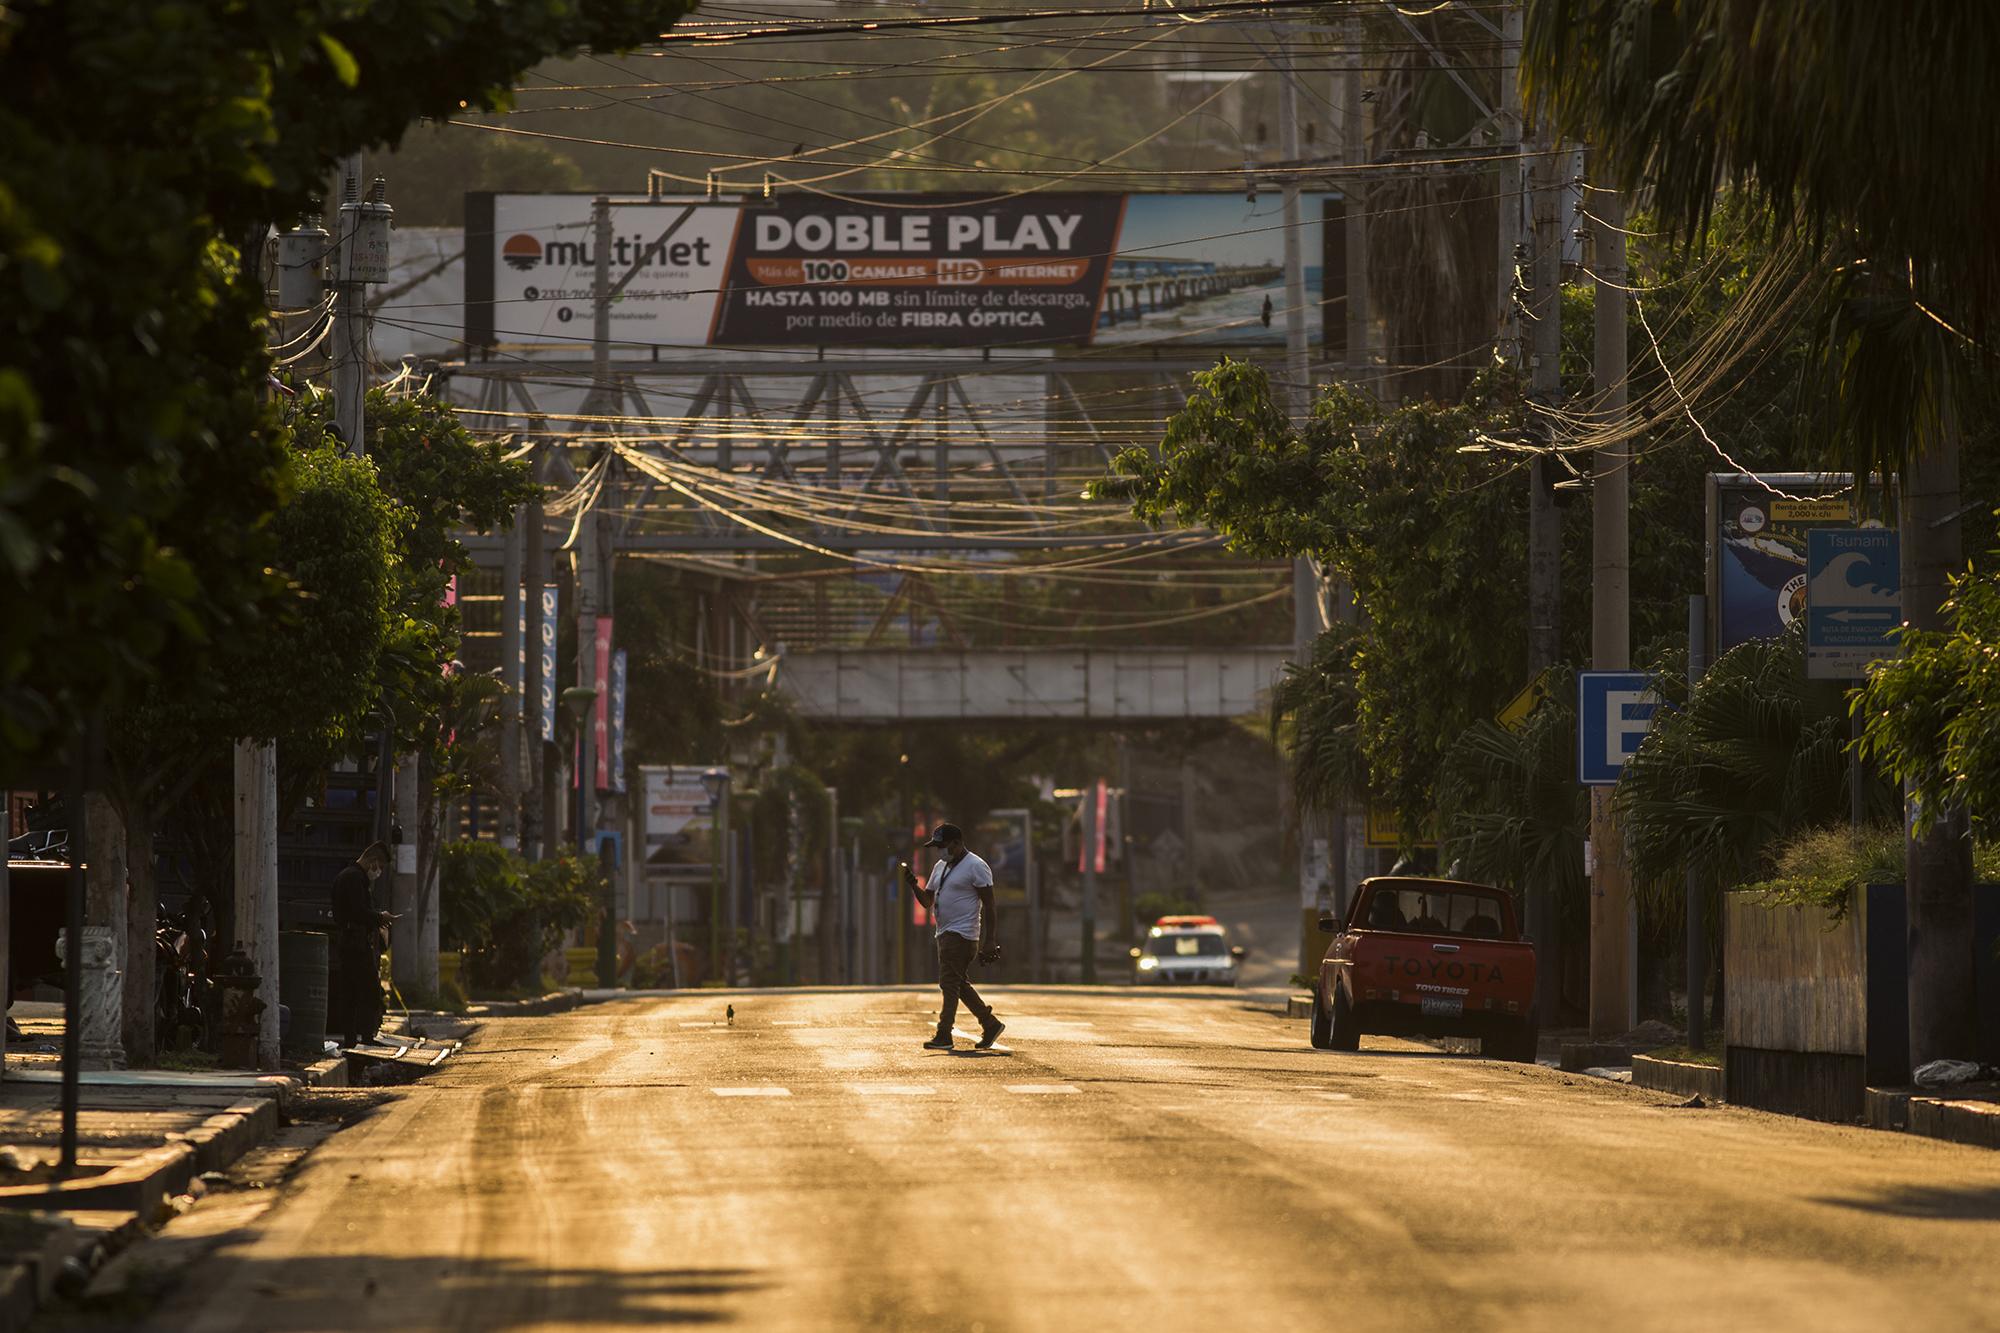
{"points": [[1613, 938]]}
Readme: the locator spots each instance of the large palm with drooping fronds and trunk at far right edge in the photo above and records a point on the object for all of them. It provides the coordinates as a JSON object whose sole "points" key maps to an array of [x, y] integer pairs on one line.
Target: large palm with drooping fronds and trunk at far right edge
{"points": [[1871, 133]]}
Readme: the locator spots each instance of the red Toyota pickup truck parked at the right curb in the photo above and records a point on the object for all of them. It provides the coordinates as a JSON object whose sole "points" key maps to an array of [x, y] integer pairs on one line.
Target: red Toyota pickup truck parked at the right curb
{"points": [[1427, 958]]}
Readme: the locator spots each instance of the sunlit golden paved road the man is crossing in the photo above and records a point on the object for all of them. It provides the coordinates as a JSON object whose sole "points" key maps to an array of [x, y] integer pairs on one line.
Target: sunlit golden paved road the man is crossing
{"points": [[1137, 1162]]}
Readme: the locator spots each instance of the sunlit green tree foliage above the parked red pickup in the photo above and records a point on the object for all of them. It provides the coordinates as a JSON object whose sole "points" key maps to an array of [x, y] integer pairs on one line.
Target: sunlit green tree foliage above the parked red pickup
{"points": [[1407, 505]]}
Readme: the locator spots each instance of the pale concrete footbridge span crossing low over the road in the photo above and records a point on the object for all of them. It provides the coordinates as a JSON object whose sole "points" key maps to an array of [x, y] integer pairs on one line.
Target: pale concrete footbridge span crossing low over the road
{"points": [[1001, 686]]}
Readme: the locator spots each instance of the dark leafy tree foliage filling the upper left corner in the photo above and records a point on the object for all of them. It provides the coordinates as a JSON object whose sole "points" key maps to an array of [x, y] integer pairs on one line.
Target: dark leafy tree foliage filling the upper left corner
{"points": [[139, 461]]}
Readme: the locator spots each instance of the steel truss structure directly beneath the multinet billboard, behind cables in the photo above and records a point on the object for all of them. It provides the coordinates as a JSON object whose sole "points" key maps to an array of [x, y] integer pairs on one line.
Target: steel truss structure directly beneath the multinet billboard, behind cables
{"points": [[863, 453]]}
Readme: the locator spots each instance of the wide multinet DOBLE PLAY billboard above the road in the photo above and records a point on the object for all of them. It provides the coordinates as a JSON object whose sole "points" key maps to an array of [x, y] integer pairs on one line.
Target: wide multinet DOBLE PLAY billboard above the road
{"points": [[951, 271]]}
